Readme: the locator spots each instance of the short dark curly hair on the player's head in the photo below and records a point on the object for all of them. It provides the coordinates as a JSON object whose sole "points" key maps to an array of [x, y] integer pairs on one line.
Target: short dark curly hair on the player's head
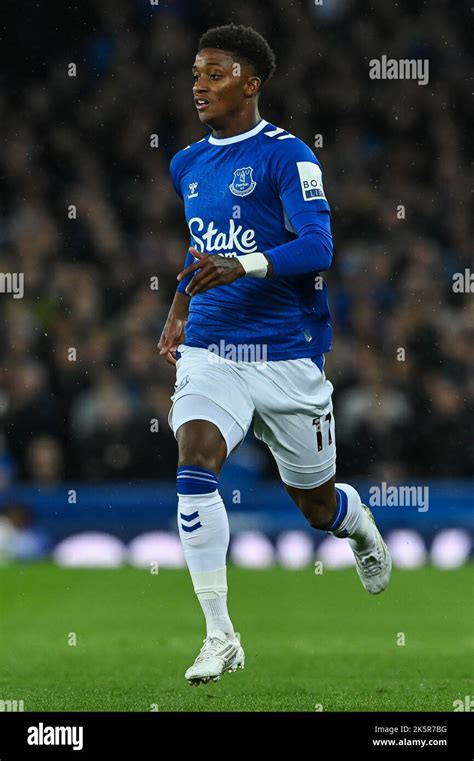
{"points": [[245, 43]]}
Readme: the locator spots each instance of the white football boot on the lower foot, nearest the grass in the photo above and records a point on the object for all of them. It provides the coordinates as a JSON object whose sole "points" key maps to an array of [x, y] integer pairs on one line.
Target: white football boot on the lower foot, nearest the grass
{"points": [[220, 652]]}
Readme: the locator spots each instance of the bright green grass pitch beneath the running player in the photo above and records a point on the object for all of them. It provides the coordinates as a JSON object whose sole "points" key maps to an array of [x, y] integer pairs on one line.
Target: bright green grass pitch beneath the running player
{"points": [[311, 641]]}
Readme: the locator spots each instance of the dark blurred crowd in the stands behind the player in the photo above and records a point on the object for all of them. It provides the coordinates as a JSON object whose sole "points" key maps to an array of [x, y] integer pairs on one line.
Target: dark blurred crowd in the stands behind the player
{"points": [[88, 214]]}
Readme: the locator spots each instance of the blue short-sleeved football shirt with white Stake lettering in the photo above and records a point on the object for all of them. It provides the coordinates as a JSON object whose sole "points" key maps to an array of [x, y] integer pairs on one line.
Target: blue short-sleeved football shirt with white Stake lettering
{"points": [[243, 194]]}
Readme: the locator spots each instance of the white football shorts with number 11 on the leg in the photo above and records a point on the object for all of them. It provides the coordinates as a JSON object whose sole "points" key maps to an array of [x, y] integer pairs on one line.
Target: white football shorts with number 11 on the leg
{"points": [[289, 402]]}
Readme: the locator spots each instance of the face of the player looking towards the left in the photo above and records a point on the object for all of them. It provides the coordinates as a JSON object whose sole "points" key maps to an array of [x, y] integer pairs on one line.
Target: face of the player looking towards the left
{"points": [[222, 84]]}
